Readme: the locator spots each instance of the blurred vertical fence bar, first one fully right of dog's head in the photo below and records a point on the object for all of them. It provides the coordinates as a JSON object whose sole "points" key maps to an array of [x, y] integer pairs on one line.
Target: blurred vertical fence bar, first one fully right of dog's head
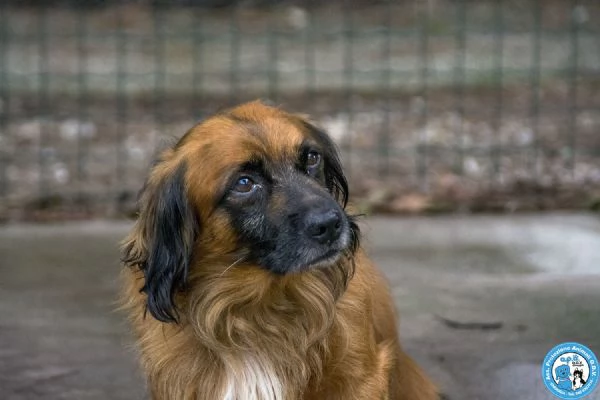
{"points": [[386, 83]]}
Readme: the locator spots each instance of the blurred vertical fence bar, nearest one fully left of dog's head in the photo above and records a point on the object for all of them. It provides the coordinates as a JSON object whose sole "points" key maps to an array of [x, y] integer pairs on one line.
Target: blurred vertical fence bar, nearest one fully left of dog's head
{"points": [[121, 110]]}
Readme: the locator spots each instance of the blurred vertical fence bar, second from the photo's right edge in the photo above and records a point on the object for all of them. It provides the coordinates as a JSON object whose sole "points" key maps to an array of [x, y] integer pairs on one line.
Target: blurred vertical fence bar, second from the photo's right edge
{"points": [[534, 83]]}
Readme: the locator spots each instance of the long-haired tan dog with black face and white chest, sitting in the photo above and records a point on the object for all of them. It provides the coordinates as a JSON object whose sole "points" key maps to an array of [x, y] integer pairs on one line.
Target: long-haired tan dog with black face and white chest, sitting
{"points": [[245, 279]]}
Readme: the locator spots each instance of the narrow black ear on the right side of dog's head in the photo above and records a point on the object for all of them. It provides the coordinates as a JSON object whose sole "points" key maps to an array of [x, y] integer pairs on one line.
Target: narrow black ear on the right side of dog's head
{"points": [[334, 174]]}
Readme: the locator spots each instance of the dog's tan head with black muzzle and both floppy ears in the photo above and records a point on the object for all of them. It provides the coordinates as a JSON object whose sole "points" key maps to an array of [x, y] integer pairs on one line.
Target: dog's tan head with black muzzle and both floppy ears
{"points": [[251, 186]]}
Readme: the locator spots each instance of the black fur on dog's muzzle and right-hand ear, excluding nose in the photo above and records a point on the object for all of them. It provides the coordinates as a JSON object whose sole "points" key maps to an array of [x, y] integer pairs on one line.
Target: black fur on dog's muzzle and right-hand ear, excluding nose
{"points": [[272, 223]]}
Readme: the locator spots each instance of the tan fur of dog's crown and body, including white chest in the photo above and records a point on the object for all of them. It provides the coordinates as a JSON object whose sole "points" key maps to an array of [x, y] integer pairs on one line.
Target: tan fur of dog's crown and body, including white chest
{"points": [[245, 333]]}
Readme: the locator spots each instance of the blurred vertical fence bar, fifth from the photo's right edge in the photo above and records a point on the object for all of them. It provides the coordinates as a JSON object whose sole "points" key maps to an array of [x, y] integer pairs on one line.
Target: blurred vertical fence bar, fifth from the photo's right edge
{"points": [[422, 153]]}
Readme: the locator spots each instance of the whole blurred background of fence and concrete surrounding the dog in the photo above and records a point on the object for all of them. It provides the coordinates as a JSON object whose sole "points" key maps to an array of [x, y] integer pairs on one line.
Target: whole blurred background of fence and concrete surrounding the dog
{"points": [[484, 113]]}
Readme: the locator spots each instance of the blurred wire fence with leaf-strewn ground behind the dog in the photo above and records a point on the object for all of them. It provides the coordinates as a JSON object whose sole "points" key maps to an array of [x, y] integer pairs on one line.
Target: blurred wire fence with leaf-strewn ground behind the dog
{"points": [[436, 105]]}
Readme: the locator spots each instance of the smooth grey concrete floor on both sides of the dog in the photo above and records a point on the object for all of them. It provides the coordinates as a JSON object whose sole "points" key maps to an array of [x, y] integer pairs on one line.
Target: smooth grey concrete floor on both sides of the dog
{"points": [[536, 276]]}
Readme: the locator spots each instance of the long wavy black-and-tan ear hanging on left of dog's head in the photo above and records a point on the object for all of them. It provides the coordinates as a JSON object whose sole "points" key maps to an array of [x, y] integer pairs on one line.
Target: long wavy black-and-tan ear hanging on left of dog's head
{"points": [[161, 242]]}
